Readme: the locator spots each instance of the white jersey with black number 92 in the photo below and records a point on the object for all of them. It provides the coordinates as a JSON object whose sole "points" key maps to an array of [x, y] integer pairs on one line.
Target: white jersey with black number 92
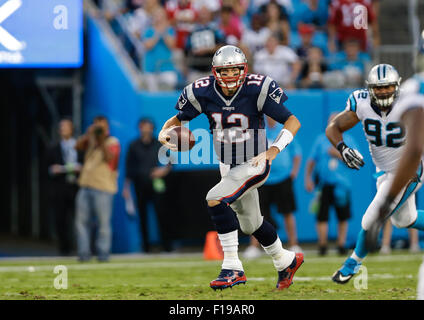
{"points": [[384, 131]]}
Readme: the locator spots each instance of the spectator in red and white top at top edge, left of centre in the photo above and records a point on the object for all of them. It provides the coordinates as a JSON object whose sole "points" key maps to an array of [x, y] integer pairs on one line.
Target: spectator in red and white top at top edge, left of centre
{"points": [[182, 16]]}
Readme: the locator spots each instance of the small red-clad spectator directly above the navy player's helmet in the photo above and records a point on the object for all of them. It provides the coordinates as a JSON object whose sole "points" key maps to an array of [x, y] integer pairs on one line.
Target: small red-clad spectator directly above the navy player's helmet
{"points": [[230, 25]]}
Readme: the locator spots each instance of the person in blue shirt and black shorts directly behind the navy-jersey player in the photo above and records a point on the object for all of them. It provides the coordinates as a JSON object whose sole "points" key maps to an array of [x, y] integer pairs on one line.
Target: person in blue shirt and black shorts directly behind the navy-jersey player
{"points": [[278, 190]]}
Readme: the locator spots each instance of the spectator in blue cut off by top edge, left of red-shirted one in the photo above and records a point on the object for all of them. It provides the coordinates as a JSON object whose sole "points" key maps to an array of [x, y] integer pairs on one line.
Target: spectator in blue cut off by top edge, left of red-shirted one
{"points": [[313, 12]]}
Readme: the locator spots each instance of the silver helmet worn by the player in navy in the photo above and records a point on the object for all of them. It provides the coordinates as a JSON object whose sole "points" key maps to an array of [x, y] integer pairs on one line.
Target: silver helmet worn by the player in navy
{"points": [[228, 57]]}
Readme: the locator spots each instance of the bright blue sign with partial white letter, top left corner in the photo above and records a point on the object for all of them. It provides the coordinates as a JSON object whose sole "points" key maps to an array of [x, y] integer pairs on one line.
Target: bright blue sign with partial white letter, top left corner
{"points": [[41, 33]]}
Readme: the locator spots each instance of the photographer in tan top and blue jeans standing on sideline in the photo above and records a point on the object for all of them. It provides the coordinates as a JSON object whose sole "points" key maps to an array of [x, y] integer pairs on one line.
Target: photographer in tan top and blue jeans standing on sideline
{"points": [[98, 183]]}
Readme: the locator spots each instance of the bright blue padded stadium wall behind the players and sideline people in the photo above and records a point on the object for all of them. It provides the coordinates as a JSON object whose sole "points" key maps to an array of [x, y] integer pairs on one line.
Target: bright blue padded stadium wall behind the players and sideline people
{"points": [[108, 91]]}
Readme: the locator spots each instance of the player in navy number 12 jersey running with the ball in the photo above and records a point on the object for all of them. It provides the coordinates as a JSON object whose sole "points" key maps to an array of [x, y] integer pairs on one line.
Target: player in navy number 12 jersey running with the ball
{"points": [[235, 103]]}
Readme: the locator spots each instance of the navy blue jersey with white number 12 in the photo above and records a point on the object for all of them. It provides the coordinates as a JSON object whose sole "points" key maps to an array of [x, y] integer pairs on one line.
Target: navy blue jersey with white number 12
{"points": [[236, 122]]}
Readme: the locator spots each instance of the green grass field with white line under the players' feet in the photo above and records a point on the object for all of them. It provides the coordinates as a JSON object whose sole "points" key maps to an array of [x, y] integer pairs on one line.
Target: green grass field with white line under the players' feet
{"points": [[187, 277]]}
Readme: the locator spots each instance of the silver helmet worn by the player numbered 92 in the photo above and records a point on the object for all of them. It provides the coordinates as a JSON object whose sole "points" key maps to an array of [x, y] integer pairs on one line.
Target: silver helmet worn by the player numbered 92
{"points": [[383, 75]]}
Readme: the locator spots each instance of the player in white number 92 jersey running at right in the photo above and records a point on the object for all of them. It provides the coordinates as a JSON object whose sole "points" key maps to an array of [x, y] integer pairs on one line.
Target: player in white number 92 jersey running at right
{"points": [[375, 107]]}
